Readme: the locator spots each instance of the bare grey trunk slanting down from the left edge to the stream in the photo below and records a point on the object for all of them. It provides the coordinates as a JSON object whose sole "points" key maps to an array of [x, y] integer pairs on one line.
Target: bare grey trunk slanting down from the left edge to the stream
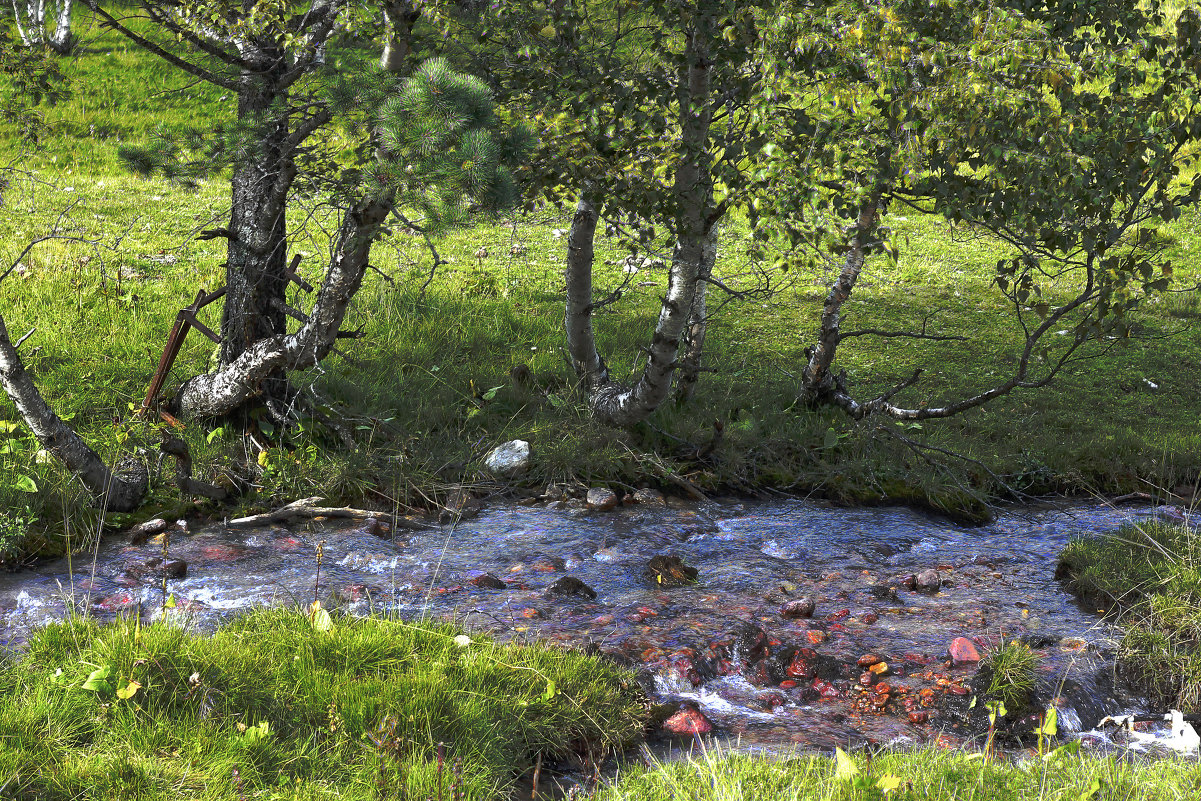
{"points": [[119, 491]]}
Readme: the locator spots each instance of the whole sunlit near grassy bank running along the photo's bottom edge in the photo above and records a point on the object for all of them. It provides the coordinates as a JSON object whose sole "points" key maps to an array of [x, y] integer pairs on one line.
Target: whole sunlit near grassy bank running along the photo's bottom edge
{"points": [[272, 707]]}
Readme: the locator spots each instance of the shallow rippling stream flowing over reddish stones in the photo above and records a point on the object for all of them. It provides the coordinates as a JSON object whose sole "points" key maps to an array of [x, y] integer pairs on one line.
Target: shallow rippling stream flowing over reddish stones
{"points": [[720, 647]]}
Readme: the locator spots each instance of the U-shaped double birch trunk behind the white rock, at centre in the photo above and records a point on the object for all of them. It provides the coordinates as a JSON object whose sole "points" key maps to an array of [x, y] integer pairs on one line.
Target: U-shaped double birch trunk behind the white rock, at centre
{"points": [[612, 403]]}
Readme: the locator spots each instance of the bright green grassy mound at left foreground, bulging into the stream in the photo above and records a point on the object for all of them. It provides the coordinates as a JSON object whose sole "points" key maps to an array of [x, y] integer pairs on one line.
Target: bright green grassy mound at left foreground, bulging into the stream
{"points": [[272, 708]]}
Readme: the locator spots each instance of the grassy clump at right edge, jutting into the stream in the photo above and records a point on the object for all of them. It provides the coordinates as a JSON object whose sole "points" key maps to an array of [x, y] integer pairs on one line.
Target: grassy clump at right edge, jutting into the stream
{"points": [[1148, 575]]}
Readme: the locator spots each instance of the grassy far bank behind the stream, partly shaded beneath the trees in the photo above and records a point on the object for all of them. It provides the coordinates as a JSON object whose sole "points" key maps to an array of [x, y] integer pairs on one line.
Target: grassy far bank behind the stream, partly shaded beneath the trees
{"points": [[432, 386]]}
